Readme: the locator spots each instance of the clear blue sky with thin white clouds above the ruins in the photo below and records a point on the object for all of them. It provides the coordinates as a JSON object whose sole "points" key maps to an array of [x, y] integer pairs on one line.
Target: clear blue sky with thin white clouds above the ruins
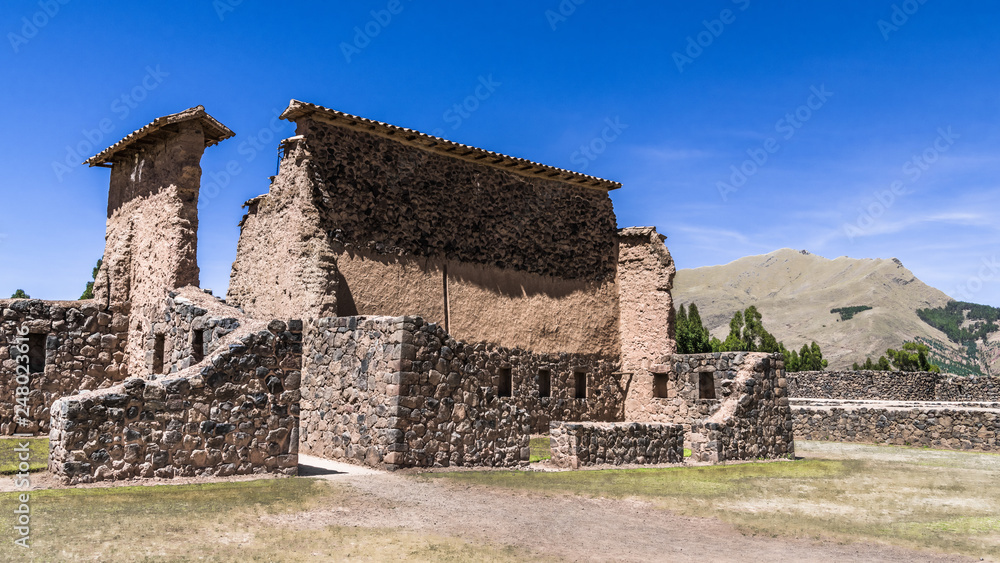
{"points": [[833, 105]]}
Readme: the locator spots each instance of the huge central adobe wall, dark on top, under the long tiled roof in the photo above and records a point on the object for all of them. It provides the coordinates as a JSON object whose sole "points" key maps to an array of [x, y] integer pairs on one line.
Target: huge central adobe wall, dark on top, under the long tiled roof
{"points": [[370, 225]]}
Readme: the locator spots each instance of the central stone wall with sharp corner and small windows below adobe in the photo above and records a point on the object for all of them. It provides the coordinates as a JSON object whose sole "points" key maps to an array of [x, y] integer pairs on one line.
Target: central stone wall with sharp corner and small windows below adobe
{"points": [[400, 392]]}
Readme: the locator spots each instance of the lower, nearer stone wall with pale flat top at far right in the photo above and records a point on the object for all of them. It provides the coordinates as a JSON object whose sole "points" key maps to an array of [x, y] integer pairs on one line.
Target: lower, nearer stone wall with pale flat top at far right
{"points": [[944, 428]]}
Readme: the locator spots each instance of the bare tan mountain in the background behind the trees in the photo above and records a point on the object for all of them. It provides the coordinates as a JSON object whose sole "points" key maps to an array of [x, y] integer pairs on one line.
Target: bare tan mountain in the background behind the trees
{"points": [[795, 292]]}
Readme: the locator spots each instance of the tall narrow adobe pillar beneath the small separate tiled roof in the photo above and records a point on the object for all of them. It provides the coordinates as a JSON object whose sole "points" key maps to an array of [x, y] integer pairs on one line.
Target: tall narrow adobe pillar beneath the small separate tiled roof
{"points": [[151, 241]]}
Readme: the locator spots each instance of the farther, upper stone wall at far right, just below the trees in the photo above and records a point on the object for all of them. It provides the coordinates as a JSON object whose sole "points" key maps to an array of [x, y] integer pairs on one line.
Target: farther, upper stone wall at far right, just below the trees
{"points": [[892, 386]]}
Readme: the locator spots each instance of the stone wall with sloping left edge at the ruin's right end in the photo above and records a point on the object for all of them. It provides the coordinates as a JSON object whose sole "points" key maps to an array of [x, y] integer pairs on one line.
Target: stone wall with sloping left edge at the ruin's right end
{"points": [[755, 420]]}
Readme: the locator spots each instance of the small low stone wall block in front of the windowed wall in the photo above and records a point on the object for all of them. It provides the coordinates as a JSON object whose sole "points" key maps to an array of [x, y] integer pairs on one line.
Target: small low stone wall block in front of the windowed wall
{"points": [[580, 444]]}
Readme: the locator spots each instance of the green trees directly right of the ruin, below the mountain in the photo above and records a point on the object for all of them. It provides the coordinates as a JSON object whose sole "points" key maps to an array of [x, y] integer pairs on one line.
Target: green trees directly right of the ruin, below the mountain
{"points": [[746, 334]]}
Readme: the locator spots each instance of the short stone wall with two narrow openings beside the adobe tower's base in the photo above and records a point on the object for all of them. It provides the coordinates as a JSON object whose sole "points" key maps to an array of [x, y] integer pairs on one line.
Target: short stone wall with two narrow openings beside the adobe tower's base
{"points": [[191, 319]]}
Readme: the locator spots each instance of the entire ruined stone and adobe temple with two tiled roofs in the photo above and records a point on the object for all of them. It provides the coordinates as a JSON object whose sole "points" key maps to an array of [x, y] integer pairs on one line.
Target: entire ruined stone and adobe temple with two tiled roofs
{"points": [[397, 300]]}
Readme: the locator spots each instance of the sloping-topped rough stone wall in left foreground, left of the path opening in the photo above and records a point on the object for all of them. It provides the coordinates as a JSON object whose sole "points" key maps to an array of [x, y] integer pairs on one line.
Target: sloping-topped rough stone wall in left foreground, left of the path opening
{"points": [[235, 414]]}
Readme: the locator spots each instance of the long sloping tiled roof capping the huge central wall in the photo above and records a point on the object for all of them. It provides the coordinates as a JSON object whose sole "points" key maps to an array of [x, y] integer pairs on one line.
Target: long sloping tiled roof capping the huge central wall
{"points": [[297, 109]]}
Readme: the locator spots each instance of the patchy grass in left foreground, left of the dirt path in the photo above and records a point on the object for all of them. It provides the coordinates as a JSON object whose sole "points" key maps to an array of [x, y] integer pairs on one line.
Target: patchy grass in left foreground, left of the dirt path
{"points": [[217, 522]]}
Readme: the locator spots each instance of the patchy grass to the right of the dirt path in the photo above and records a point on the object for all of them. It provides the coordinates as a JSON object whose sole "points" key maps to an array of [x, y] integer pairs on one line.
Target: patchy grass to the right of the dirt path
{"points": [[946, 501]]}
